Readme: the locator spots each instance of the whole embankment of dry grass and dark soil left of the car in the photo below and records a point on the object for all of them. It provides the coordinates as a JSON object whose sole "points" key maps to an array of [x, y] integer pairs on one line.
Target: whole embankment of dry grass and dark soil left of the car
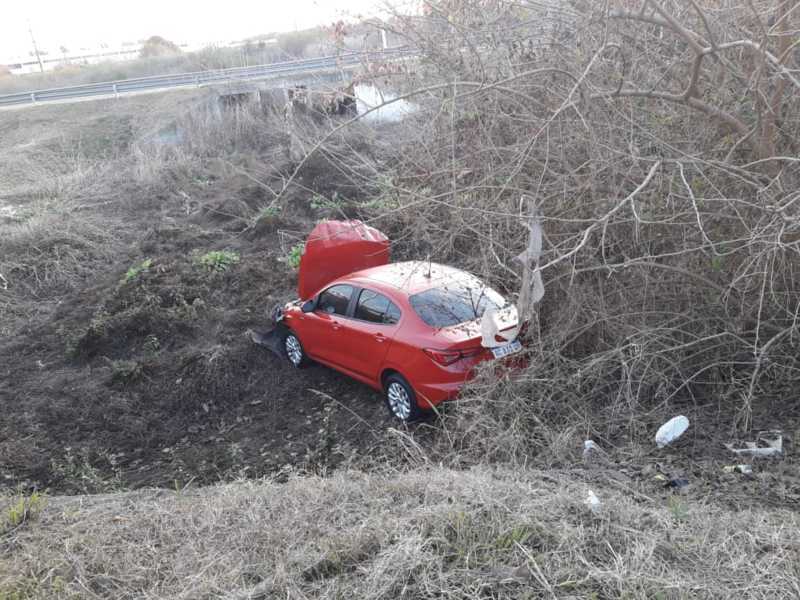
{"points": [[125, 361]]}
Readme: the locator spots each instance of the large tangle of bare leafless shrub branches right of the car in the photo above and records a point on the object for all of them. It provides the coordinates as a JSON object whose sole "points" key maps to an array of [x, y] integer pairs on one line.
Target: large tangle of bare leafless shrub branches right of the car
{"points": [[658, 145]]}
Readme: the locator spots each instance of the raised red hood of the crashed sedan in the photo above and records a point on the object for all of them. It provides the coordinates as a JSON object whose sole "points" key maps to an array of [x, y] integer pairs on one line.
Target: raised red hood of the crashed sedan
{"points": [[337, 248]]}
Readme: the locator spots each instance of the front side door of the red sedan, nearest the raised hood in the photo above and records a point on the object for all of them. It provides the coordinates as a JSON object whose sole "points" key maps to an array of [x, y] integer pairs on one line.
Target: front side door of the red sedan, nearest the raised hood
{"points": [[322, 335]]}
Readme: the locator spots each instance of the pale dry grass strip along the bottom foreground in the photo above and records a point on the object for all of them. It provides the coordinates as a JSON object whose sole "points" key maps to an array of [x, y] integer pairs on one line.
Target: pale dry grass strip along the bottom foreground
{"points": [[429, 534]]}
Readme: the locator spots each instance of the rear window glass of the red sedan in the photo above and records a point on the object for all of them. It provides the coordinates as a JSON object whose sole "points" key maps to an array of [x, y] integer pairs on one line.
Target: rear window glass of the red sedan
{"points": [[455, 304]]}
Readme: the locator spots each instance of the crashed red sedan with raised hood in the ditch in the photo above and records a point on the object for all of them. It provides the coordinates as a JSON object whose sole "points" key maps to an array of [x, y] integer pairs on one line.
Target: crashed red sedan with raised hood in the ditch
{"points": [[411, 329]]}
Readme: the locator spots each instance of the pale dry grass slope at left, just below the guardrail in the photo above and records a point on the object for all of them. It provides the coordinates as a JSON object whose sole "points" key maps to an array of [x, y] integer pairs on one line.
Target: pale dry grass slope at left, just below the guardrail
{"points": [[71, 175]]}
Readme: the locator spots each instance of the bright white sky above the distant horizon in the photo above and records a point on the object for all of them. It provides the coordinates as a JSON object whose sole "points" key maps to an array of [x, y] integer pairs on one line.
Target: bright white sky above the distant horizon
{"points": [[88, 23]]}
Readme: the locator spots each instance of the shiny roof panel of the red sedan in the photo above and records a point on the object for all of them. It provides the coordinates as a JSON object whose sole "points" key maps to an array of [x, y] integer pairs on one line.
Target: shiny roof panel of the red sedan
{"points": [[409, 277]]}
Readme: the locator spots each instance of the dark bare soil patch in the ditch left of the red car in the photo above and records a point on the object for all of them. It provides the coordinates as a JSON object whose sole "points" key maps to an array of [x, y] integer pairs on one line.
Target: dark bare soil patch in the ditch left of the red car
{"points": [[154, 381]]}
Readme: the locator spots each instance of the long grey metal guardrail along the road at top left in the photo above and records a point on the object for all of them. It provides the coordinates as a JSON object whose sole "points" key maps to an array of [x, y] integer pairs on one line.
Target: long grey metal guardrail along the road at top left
{"points": [[198, 78]]}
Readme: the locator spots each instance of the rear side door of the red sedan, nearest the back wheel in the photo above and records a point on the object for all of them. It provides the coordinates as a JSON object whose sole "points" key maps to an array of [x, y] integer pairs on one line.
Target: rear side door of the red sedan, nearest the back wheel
{"points": [[369, 332]]}
